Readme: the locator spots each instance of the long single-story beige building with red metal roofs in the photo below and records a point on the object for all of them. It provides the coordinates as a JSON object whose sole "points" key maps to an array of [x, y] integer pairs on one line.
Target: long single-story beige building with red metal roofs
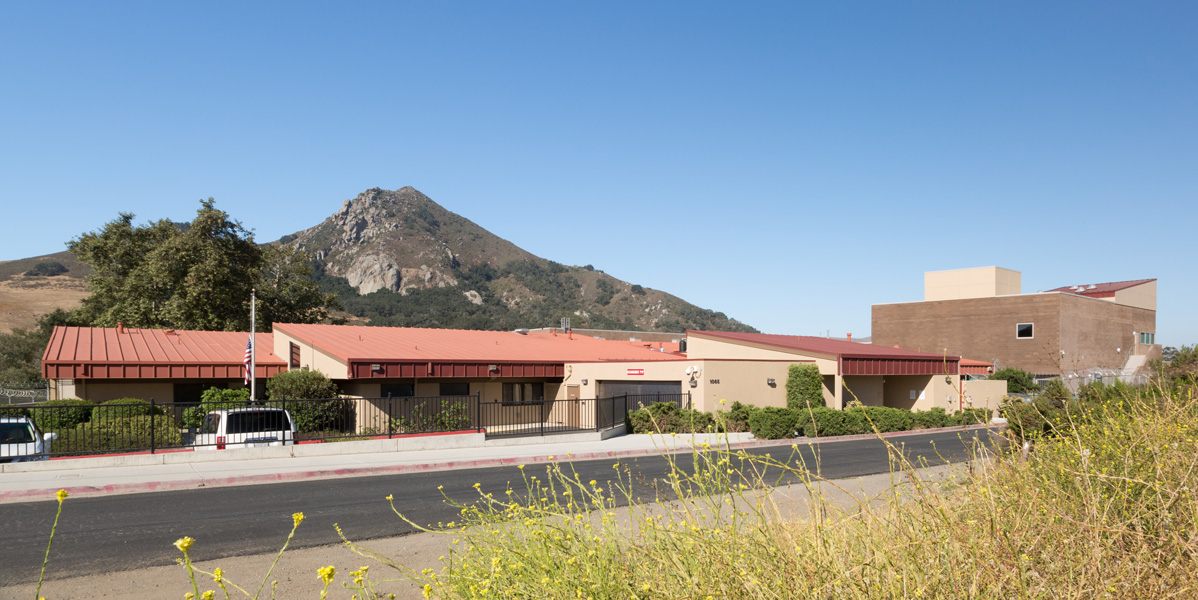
{"points": [[506, 368]]}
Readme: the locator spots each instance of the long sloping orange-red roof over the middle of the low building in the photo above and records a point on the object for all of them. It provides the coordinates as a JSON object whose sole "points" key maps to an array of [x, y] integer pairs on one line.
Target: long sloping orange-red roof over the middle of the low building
{"points": [[388, 344]]}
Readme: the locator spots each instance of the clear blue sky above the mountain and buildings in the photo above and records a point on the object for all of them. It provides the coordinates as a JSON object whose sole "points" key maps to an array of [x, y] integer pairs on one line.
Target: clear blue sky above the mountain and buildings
{"points": [[789, 165]]}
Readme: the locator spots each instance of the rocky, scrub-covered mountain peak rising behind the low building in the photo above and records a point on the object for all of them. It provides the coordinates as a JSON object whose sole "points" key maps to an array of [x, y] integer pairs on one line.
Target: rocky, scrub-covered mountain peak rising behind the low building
{"points": [[398, 258]]}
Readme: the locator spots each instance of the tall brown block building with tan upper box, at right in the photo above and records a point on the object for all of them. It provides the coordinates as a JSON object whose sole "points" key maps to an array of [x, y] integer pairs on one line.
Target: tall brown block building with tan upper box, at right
{"points": [[1081, 331]]}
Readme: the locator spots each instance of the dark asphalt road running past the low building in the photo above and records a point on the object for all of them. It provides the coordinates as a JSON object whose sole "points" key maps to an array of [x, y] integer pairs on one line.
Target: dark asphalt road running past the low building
{"points": [[116, 534]]}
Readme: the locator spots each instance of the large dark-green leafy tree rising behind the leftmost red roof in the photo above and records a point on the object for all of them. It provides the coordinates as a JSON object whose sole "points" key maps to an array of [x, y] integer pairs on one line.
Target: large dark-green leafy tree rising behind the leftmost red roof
{"points": [[193, 276]]}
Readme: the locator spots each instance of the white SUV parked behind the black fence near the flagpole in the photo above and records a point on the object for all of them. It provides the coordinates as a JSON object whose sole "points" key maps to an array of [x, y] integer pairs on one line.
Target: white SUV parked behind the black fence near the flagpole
{"points": [[246, 428]]}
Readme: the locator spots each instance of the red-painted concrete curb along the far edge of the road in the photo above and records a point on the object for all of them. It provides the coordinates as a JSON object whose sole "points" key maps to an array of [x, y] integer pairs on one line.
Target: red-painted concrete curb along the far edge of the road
{"points": [[328, 474]]}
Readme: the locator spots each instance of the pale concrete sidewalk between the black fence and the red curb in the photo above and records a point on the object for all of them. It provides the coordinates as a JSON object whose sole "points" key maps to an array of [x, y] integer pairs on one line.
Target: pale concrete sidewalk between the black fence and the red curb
{"points": [[29, 482]]}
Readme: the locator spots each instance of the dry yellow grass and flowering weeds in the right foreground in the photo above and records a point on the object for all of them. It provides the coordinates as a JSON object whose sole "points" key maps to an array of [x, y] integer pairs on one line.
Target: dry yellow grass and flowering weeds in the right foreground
{"points": [[1105, 510]]}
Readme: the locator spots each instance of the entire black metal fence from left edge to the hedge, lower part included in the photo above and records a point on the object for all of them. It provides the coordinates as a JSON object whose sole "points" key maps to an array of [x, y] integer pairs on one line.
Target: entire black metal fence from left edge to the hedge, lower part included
{"points": [[114, 428]]}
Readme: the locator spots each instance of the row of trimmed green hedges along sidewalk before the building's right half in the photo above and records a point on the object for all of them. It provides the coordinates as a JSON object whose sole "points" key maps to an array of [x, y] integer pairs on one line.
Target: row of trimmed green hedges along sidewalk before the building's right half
{"points": [[775, 423]]}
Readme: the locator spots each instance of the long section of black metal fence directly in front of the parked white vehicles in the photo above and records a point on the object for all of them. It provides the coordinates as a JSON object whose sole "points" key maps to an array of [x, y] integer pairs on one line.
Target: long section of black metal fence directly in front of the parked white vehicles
{"points": [[111, 428]]}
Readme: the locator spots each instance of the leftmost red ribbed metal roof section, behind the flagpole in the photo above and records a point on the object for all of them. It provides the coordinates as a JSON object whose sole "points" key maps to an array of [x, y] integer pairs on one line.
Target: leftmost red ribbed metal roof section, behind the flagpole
{"points": [[105, 353]]}
